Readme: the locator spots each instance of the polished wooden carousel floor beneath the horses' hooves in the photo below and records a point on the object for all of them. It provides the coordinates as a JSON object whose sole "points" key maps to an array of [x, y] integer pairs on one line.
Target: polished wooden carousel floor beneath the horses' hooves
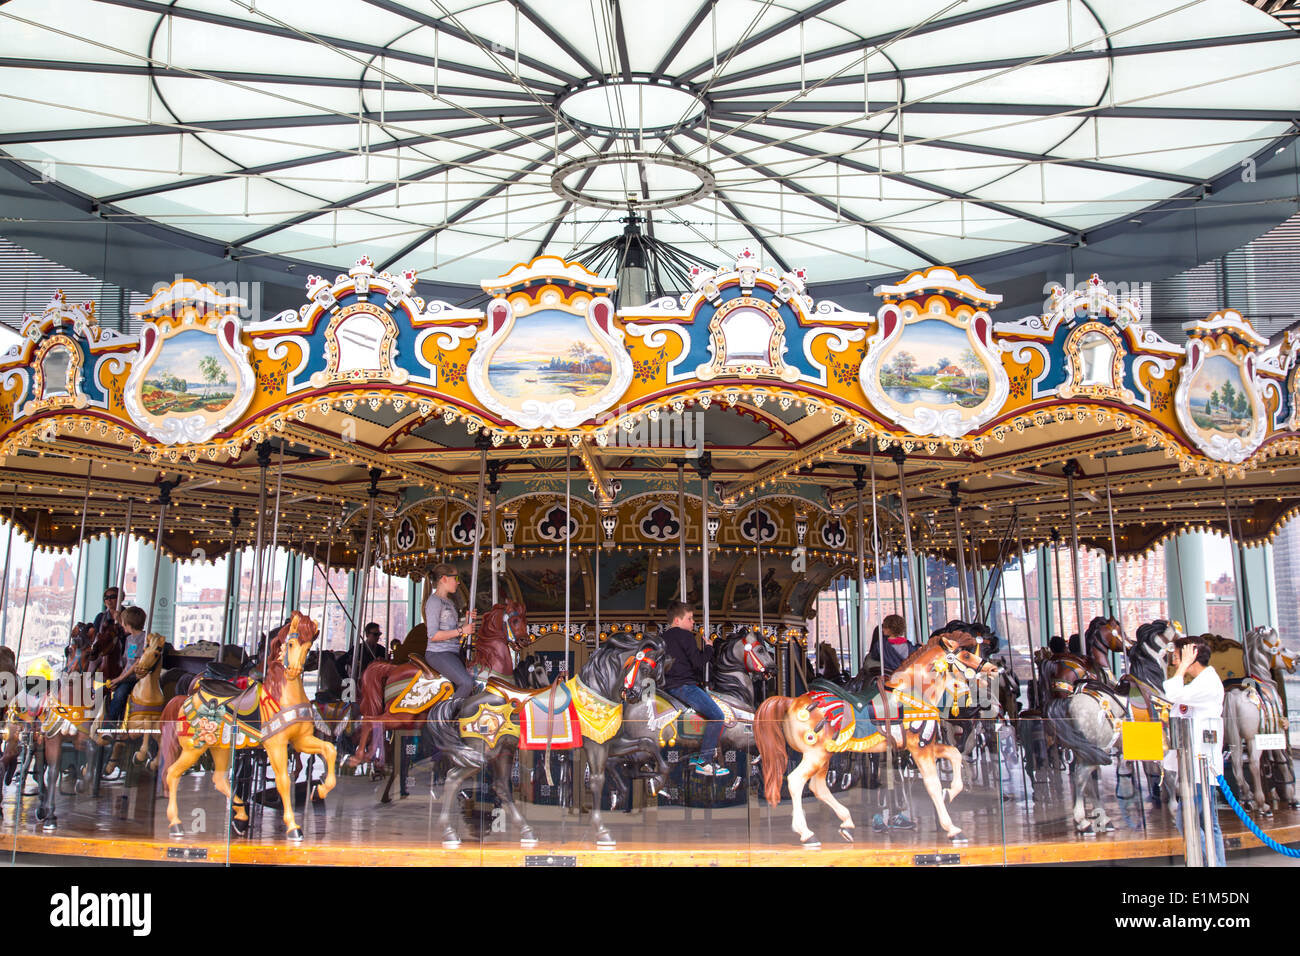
{"points": [[353, 829]]}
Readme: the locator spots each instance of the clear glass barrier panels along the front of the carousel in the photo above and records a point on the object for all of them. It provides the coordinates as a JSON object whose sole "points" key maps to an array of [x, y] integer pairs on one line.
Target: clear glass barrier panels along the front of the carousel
{"points": [[980, 790]]}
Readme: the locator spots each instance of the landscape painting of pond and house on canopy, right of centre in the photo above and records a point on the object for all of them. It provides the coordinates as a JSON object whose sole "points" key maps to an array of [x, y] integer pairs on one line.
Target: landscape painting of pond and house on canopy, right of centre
{"points": [[934, 364]]}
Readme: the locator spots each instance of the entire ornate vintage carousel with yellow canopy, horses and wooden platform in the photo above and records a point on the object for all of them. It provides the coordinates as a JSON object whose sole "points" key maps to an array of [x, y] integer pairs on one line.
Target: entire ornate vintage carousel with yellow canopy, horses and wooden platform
{"points": [[740, 449]]}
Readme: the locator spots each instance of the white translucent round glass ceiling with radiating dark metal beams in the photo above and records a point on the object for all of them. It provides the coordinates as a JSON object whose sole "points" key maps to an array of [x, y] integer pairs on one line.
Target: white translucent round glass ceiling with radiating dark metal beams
{"points": [[857, 139]]}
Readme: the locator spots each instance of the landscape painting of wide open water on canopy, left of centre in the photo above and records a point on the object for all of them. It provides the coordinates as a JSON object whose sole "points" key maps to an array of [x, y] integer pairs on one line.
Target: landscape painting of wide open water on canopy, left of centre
{"points": [[549, 356]]}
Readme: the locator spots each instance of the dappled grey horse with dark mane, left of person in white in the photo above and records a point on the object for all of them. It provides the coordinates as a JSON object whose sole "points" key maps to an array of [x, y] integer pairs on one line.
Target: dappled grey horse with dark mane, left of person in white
{"points": [[1086, 715]]}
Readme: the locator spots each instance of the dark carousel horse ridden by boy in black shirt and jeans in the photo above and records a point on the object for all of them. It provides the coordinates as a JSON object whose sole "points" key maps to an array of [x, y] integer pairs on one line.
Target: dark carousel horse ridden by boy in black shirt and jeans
{"points": [[739, 660]]}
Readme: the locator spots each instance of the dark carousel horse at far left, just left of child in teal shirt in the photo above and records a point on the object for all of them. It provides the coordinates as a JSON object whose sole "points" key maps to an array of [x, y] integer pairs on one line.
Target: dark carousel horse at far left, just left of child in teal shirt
{"points": [[73, 711]]}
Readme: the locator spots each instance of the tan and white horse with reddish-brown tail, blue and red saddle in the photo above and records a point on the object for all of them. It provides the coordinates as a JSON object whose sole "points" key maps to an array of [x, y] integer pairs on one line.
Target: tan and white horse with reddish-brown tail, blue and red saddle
{"points": [[904, 711]]}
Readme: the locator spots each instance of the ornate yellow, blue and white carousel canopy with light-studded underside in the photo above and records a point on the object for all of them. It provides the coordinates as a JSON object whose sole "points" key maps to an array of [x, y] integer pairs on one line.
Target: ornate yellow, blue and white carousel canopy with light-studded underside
{"points": [[778, 412]]}
